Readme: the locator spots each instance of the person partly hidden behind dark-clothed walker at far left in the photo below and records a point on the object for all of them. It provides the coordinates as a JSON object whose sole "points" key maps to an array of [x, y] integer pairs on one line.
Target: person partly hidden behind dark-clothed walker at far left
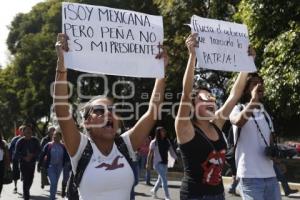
{"points": [[15, 162]]}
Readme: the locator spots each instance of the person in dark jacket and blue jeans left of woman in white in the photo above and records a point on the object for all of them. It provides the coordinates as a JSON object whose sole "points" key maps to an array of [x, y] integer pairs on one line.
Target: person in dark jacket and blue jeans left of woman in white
{"points": [[53, 158]]}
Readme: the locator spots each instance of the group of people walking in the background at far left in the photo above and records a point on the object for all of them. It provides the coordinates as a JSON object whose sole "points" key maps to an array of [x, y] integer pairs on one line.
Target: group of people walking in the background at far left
{"points": [[25, 152]]}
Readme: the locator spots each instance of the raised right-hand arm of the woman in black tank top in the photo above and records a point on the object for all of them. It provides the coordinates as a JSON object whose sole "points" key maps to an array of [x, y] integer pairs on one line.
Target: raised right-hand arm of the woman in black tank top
{"points": [[235, 94]]}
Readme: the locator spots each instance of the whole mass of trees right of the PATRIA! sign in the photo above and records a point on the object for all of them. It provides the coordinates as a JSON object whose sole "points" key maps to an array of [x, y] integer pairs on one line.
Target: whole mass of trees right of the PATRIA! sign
{"points": [[274, 30]]}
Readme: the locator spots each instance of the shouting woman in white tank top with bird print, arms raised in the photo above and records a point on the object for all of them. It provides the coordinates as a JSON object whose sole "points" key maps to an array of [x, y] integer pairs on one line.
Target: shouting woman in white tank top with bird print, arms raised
{"points": [[101, 159]]}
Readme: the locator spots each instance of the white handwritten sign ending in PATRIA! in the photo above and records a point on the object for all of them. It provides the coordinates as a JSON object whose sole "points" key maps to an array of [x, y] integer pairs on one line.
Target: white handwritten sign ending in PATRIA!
{"points": [[222, 45]]}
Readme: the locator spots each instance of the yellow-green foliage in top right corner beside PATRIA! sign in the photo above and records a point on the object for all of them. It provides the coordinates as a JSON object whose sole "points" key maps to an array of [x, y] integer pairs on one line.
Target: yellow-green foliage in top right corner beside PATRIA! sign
{"points": [[266, 19]]}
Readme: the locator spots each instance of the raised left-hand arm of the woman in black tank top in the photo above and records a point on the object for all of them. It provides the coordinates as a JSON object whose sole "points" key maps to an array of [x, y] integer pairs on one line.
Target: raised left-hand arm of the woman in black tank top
{"points": [[183, 125]]}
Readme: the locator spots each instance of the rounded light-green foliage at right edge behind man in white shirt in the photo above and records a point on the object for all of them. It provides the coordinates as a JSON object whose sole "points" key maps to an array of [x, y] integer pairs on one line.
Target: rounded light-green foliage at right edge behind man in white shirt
{"points": [[281, 70]]}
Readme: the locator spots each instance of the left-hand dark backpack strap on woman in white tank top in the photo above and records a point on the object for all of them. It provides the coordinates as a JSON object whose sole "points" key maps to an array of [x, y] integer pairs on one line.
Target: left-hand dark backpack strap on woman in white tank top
{"points": [[82, 163]]}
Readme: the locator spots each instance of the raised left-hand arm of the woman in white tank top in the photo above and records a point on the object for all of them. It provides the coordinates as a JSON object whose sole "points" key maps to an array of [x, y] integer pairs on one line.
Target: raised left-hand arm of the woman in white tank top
{"points": [[66, 122]]}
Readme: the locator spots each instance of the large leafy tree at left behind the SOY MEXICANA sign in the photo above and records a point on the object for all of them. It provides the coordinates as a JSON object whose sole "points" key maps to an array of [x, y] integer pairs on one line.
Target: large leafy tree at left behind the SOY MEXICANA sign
{"points": [[31, 42]]}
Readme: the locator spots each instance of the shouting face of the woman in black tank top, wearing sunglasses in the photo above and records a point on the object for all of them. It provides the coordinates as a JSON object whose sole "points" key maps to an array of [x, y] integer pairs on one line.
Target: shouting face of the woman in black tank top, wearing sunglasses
{"points": [[205, 105]]}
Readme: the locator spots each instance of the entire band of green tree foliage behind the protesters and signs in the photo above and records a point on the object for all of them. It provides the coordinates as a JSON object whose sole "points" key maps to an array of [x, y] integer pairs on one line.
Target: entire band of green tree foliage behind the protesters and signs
{"points": [[273, 27]]}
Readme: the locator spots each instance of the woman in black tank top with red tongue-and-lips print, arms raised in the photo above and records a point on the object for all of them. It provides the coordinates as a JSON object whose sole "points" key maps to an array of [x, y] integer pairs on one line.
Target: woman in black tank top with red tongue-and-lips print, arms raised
{"points": [[200, 138]]}
